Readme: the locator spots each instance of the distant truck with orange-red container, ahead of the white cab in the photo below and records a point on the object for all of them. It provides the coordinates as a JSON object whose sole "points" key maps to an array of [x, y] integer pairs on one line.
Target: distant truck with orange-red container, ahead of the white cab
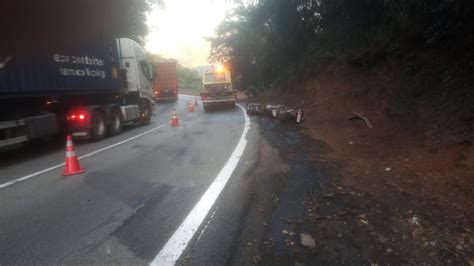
{"points": [[166, 82]]}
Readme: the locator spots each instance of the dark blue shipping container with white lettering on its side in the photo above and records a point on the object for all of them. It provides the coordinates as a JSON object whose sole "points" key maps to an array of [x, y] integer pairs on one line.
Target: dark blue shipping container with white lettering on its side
{"points": [[93, 68]]}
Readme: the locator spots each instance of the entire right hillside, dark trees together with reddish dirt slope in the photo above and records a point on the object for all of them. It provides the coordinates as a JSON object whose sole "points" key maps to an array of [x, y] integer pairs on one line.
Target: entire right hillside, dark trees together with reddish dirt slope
{"points": [[405, 66]]}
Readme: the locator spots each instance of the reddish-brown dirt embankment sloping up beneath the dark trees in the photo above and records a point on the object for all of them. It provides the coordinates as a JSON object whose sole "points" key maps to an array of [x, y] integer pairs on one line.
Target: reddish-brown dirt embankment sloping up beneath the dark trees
{"points": [[417, 160]]}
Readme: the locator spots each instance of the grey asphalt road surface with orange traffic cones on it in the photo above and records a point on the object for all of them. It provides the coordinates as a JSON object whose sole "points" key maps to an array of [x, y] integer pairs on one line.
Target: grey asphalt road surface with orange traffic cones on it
{"points": [[131, 200]]}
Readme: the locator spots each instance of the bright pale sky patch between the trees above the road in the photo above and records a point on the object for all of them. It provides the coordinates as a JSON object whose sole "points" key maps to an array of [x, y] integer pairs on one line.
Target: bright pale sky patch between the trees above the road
{"points": [[178, 30]]}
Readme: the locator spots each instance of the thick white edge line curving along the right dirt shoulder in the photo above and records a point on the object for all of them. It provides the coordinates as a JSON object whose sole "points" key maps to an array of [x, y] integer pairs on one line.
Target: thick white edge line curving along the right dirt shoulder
{"points": [[178, 242]]}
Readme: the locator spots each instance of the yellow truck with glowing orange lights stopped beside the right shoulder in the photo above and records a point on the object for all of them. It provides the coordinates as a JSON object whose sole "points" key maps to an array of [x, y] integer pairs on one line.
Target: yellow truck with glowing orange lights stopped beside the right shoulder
{"points": [[217, 88]]}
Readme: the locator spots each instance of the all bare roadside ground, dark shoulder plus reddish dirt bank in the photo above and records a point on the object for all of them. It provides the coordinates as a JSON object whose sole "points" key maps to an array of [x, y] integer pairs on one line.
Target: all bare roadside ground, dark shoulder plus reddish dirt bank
{"points": [[401, 192]]}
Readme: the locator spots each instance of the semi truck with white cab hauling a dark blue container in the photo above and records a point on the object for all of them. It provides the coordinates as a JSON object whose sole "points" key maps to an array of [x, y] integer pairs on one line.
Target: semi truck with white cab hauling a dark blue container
{"points": [[88, 89]]}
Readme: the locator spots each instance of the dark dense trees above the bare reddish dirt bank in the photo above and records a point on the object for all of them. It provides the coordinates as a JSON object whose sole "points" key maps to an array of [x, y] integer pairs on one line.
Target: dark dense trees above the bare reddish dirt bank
{"points": [[429, 43]]}
